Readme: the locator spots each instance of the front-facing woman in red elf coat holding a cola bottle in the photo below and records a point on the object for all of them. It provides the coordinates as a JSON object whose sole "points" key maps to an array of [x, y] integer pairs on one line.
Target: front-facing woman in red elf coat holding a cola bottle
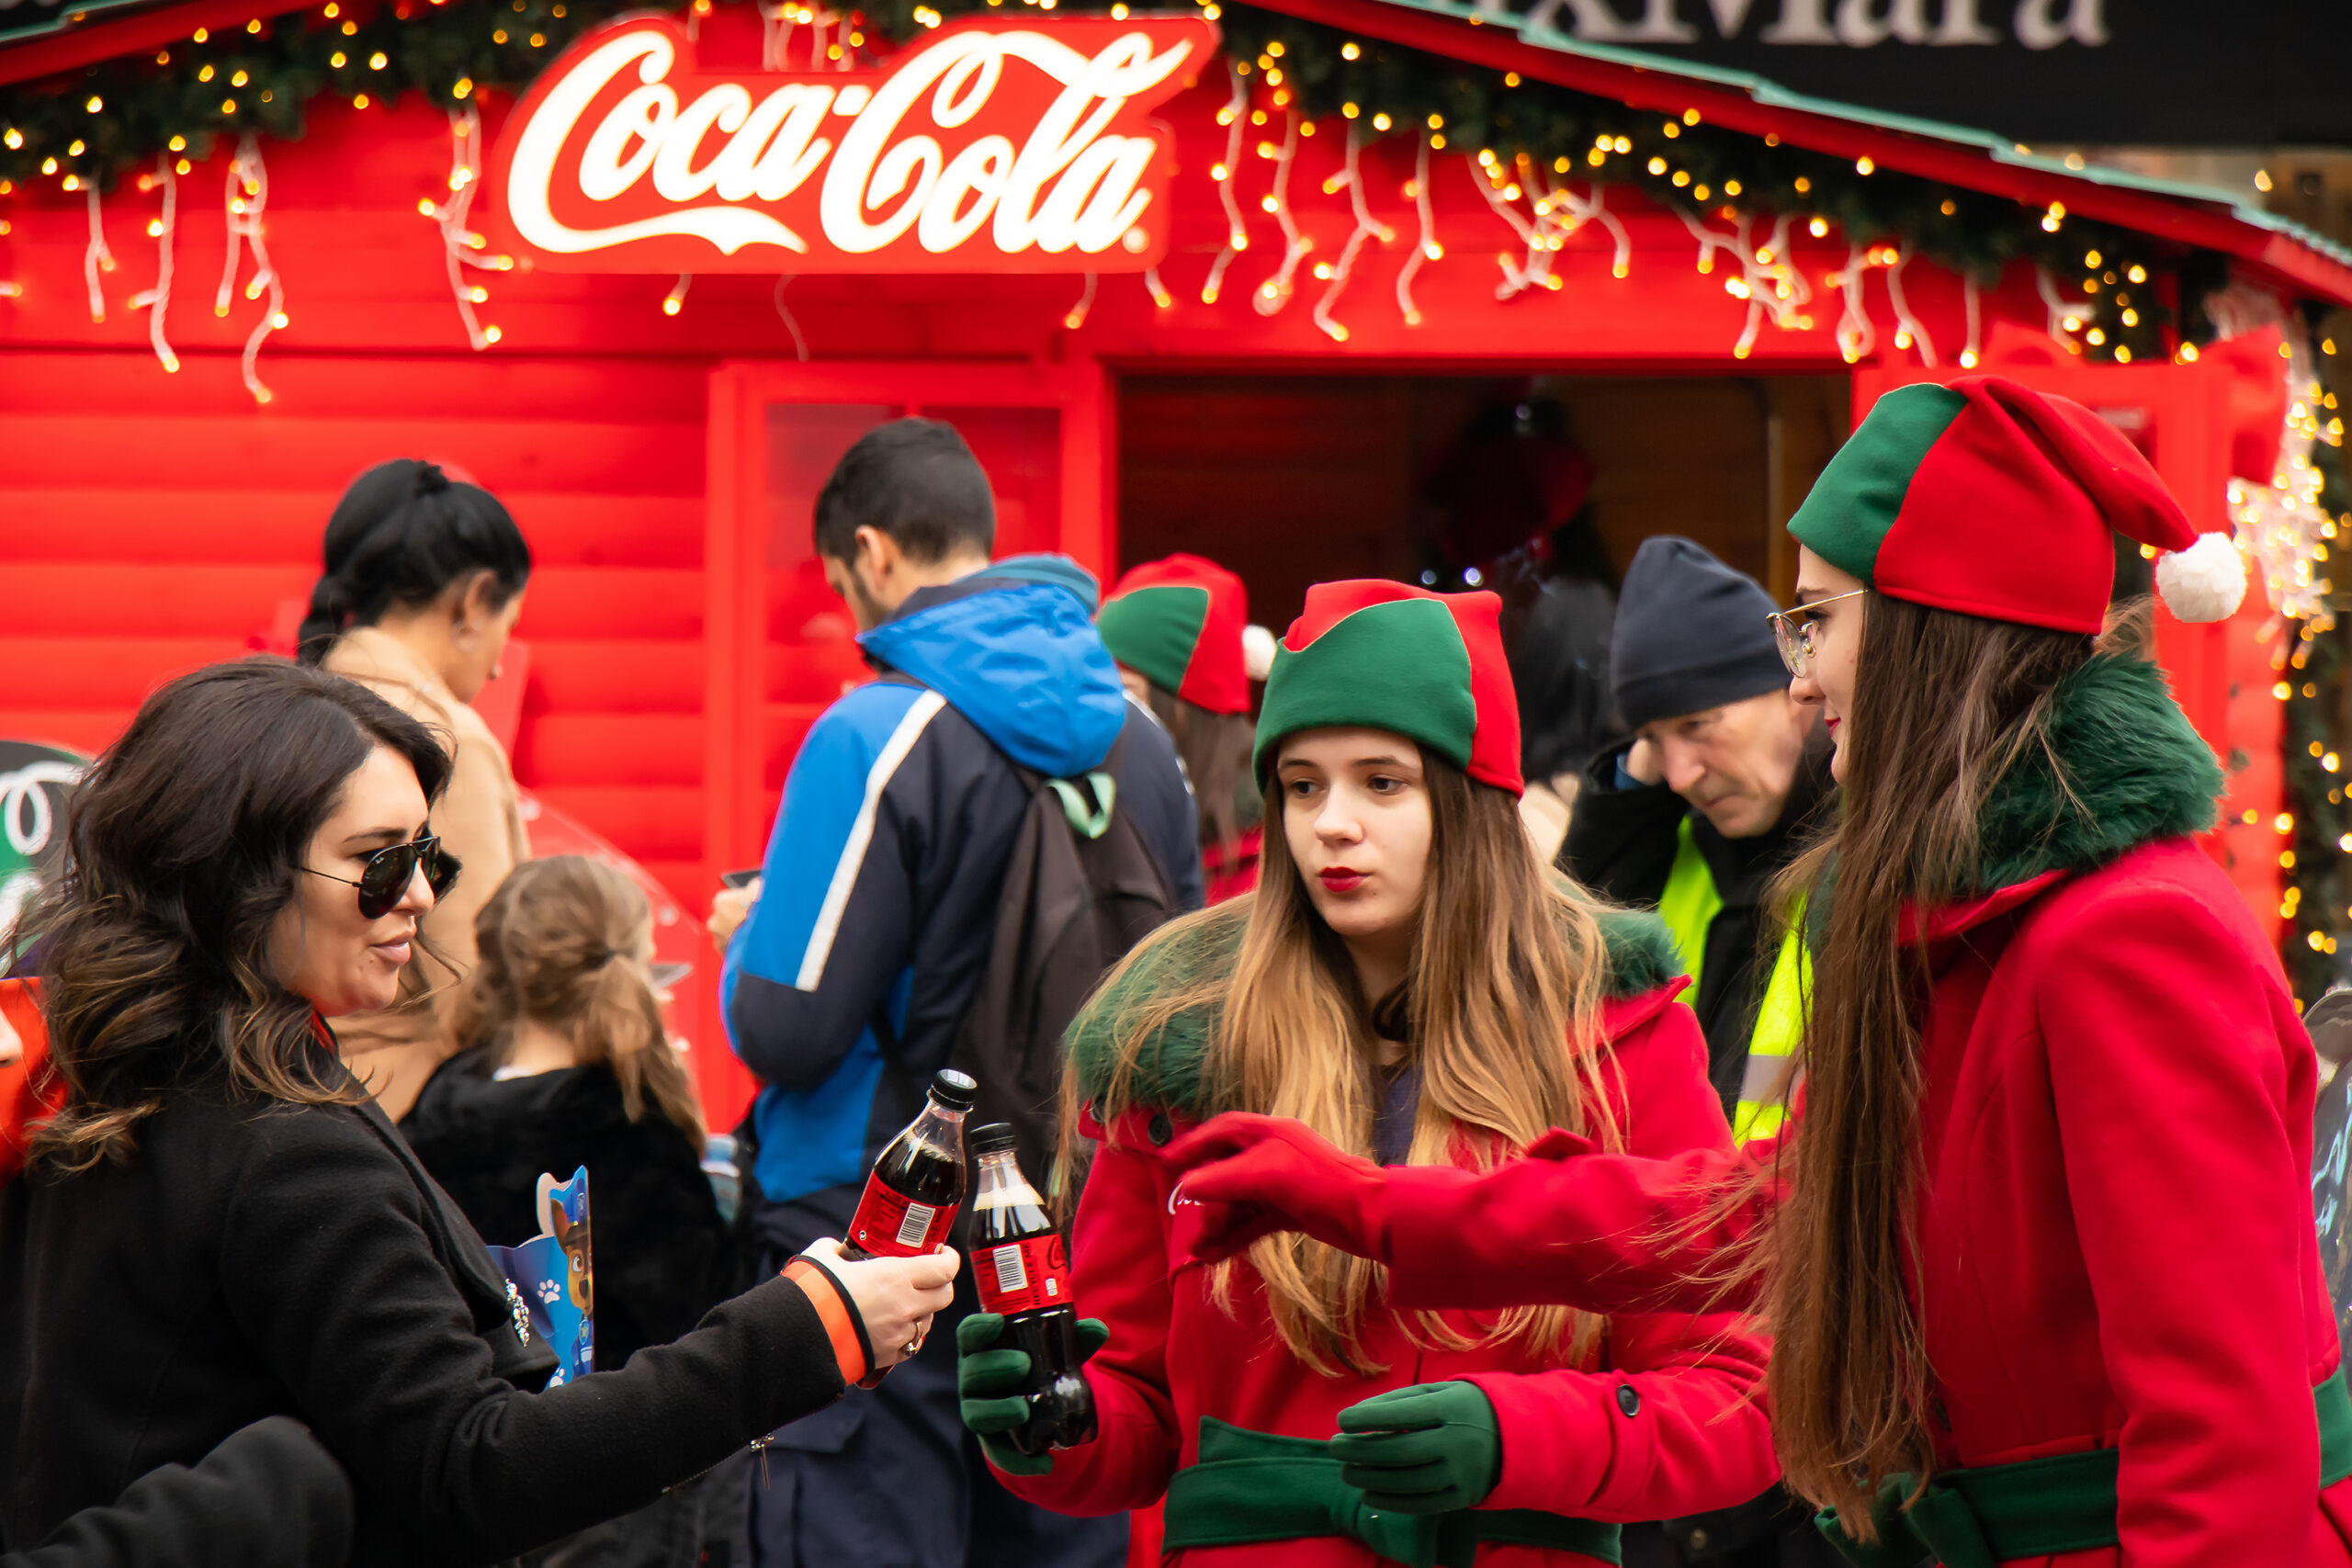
{"points": [[1412, 984]]}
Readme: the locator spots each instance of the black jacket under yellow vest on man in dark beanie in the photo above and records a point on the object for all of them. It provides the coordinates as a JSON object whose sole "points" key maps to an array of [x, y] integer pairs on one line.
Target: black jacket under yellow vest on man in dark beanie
{"points": [[1622, 845]]}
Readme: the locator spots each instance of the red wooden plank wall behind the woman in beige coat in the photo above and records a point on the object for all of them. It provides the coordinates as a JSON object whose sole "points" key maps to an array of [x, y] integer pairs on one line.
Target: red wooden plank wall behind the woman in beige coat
{"points": [[156, 523]]}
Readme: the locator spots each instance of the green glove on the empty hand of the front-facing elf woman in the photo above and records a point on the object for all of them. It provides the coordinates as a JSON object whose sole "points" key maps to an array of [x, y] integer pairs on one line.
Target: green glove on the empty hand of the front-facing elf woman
{"points": [[1426, 1449]]}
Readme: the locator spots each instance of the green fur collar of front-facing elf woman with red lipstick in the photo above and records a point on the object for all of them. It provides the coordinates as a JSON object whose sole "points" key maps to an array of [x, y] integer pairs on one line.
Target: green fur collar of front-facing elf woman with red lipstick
{"points": [[1170, 1071]]}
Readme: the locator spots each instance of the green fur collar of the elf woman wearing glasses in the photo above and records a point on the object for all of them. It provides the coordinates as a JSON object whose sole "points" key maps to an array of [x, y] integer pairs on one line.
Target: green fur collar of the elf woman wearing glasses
{"points": [[2130, 772]]}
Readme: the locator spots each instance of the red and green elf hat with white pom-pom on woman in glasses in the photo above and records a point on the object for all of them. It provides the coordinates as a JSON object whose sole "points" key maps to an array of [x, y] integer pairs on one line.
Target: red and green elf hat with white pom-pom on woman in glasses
{"points": [[2000, 502]]}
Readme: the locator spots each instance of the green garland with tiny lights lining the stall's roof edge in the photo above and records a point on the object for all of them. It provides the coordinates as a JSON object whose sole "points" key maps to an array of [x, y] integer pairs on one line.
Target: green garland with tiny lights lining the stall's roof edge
{"points": [[2132, 297]]}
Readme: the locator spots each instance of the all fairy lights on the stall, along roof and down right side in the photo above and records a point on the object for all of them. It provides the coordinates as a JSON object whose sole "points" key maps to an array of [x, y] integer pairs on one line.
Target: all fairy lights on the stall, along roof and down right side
{"points": [[1546, 161]]}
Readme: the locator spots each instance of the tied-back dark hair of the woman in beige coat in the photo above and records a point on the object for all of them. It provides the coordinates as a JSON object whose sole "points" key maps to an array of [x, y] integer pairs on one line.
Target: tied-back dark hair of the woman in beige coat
{"points": [[399, 537]]}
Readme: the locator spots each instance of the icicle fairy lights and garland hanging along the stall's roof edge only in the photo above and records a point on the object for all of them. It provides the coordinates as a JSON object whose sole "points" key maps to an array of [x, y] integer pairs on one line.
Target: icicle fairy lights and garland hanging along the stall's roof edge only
{"points": [[1542, 156]]}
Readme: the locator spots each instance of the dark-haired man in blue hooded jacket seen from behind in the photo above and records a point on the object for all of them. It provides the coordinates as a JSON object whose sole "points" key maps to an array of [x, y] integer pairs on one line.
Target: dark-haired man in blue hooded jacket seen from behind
{"points": [[867, 939]]}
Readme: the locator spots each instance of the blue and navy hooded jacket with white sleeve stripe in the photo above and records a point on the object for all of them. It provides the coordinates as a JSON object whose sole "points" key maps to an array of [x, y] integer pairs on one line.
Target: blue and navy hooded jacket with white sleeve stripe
{"points": [[888, 862]]}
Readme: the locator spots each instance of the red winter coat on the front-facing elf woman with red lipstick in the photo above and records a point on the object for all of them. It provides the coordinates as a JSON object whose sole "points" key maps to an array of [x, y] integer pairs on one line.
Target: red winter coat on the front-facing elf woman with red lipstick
{"points": [[1695, 1442]]}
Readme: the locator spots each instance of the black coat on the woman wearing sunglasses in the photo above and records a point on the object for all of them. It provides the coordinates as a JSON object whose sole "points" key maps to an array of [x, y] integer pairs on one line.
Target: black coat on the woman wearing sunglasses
{"points": [[274, 1259]]}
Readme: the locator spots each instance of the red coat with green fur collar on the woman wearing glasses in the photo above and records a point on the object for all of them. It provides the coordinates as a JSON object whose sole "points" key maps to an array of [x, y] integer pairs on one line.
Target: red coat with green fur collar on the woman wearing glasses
{"points": [[2113, 1212]]}
